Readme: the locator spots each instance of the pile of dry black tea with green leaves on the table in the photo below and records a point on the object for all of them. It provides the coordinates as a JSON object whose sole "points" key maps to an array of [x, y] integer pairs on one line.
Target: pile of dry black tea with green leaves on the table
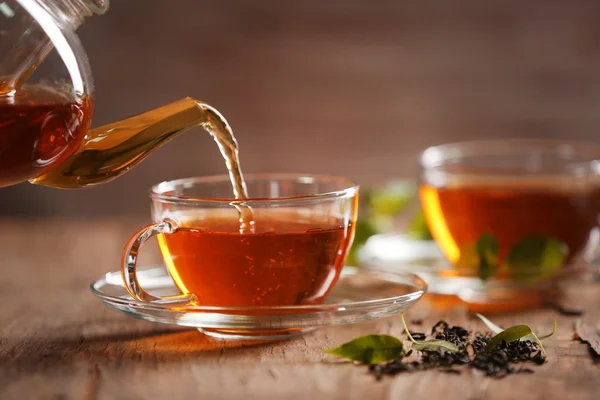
{"points": [[450, 349]]}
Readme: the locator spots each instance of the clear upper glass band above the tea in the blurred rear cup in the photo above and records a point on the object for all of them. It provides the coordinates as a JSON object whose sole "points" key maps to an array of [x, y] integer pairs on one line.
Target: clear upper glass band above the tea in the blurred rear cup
{"points": [[444, 164]]}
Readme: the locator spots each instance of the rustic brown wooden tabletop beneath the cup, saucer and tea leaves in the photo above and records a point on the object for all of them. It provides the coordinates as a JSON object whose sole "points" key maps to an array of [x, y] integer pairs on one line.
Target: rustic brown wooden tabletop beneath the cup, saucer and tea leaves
{"points": [[58, 342]]}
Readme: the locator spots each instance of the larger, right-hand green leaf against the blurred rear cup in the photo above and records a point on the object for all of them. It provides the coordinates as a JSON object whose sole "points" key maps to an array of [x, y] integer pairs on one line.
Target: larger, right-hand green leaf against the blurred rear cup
{"points": [[543, 254]]}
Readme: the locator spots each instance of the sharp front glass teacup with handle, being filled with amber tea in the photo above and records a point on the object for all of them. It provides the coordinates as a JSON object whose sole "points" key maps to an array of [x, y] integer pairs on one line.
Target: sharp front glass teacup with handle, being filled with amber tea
{"points": [[290, 253]]}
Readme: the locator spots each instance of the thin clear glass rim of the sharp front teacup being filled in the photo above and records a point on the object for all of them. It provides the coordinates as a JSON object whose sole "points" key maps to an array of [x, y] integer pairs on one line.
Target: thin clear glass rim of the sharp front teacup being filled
{"points": [[349, 188]]}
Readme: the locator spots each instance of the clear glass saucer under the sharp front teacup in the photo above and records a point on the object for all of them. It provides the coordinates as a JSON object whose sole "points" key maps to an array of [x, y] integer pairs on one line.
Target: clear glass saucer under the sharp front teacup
{"points": [[359, 295]]}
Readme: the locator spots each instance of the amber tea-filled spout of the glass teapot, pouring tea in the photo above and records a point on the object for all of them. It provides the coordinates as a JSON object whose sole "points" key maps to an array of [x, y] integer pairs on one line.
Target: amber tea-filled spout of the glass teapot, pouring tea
{"points": [[110, 151]]}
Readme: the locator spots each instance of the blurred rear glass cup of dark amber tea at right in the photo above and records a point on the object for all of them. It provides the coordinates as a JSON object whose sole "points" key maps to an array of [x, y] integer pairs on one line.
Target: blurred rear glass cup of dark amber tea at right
{"points": [[517, 211]]}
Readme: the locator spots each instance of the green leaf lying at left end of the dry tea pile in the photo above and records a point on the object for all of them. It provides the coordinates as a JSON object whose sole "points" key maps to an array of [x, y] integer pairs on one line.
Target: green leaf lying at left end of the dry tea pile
{"points": [[369, 349]]}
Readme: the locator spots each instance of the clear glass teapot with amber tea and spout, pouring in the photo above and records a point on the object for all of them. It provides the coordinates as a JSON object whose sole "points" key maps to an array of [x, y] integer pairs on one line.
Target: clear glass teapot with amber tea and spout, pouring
{"points": [[44, 124]]}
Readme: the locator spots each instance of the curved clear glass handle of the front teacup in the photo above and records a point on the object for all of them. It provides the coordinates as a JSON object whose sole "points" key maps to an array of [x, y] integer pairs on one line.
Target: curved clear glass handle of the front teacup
{"points": [[129, 264]]}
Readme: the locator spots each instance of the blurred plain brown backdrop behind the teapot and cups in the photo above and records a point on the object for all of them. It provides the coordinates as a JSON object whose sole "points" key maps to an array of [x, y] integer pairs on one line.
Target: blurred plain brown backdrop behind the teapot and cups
{"points": [[351, 87]]}
